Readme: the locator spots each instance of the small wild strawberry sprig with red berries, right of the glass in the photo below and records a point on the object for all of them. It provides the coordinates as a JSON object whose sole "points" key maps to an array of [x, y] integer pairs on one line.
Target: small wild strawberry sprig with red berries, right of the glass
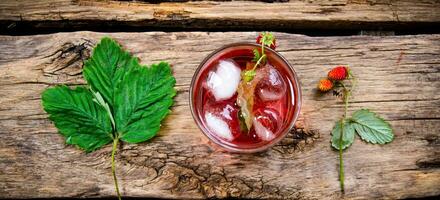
{"points": [[367, 124]]}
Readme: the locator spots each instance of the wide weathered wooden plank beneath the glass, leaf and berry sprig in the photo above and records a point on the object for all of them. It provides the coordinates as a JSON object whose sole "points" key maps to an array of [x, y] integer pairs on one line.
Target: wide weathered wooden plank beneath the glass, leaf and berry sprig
{"points": [[399, 77]]}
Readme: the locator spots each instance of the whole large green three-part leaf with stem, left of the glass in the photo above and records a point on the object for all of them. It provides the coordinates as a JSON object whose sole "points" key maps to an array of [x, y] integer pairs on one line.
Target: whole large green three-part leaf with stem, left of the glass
{"points": [[122, 101]]}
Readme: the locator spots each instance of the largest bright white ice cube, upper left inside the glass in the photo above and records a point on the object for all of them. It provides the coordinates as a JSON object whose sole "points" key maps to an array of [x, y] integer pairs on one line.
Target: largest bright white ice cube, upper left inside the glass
{"points": [[224, 81]]}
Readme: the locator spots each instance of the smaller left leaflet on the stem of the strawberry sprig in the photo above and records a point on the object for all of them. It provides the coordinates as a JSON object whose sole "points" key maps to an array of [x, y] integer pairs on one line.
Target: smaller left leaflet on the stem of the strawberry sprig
{"points": [[348, 136]]}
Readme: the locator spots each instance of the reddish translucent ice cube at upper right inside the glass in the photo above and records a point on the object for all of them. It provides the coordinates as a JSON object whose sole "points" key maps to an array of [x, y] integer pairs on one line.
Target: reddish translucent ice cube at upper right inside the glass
{"points": [[272, 86]]}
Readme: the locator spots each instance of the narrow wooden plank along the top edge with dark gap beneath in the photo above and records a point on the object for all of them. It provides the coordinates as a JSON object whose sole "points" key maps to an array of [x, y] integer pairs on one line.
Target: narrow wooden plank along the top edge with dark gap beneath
{"points": [[311, 14]]}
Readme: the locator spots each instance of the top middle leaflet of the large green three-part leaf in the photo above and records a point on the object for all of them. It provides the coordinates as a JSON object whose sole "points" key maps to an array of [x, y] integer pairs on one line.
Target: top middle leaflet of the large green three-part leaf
{"points": [[104, 70]]}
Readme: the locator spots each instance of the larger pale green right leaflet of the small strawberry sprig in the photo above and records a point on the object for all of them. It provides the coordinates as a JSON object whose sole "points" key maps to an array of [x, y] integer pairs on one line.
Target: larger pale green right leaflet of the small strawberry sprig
{"points": [[371, 128]]}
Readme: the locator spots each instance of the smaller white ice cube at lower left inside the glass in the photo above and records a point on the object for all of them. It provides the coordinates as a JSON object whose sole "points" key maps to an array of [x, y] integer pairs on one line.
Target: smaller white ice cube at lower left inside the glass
{"points": [[218, 126]]}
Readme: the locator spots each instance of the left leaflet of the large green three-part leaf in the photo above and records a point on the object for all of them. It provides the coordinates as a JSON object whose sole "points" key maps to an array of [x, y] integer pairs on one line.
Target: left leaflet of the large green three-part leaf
{"points": [[83, 122]]}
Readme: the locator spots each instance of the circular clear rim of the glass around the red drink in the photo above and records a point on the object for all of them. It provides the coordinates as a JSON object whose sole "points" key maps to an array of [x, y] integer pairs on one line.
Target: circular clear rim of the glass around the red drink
{"points": [[284, 132]]}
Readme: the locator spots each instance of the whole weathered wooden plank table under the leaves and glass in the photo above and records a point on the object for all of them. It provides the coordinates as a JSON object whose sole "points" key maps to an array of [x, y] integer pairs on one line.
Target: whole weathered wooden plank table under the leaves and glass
{"points": [[399, 78]]}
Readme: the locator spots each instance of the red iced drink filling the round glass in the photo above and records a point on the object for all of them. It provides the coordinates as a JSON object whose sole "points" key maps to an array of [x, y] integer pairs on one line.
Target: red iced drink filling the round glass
{"points": [[239, 115]]}
